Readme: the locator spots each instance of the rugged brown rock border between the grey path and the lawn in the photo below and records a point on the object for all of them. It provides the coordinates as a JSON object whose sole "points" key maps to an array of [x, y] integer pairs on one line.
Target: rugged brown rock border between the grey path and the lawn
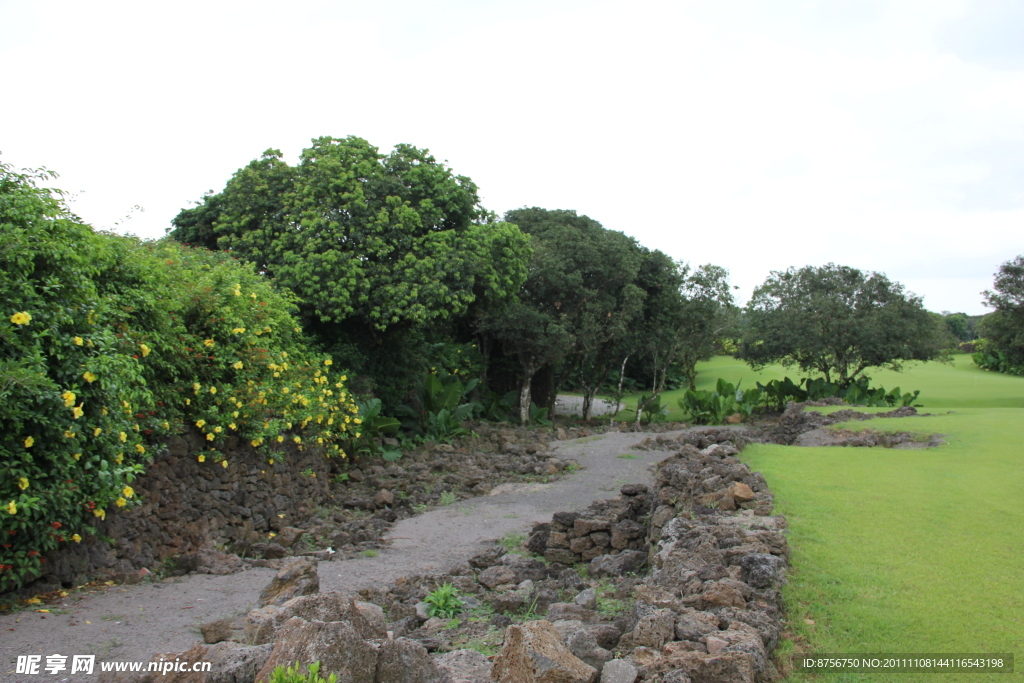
{"points": [[708, 611]]}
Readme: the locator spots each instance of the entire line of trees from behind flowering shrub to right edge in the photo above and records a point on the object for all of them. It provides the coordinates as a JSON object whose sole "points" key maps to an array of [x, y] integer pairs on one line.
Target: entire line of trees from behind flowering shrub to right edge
{"points": [[401, 273]]}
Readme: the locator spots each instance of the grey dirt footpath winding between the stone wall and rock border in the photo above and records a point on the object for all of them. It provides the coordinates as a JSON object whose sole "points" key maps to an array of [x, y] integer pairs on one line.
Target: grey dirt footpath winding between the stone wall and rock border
{"points": [[133, 623]]}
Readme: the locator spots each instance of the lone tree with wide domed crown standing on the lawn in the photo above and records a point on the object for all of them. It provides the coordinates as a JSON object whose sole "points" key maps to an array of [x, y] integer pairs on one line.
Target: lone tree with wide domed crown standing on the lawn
{"points": [[838, 322]]}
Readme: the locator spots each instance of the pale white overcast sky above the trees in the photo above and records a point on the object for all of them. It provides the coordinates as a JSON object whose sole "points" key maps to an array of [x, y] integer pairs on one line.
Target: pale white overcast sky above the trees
{"points": [[755, 135]]}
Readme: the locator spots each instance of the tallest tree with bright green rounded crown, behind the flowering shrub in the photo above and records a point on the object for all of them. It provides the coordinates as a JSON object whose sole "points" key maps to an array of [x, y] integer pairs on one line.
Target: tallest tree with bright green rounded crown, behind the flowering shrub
{"points": [[380, 249]]}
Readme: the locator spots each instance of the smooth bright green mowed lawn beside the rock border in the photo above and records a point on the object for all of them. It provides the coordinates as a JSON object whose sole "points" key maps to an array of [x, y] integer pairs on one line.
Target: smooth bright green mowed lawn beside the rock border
{"points": [[907, 551]]}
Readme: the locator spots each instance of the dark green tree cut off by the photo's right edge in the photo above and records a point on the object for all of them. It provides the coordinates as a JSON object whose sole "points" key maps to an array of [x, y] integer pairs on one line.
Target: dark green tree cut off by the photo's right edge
{"points": [[1004, 329]]}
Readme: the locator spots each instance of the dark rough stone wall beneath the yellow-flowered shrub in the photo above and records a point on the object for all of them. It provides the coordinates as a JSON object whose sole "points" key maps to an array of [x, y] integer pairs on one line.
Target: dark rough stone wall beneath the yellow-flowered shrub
{"points": [[188, 505]]}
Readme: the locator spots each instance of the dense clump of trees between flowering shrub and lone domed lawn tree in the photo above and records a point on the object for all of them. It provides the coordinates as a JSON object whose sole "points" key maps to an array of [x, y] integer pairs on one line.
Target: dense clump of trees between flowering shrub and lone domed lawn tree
{"points": [[400, 272]]}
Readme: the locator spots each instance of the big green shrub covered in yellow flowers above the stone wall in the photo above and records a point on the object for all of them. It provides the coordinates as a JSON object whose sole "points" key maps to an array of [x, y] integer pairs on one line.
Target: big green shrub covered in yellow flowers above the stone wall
{"points": [[109, 345]]}
